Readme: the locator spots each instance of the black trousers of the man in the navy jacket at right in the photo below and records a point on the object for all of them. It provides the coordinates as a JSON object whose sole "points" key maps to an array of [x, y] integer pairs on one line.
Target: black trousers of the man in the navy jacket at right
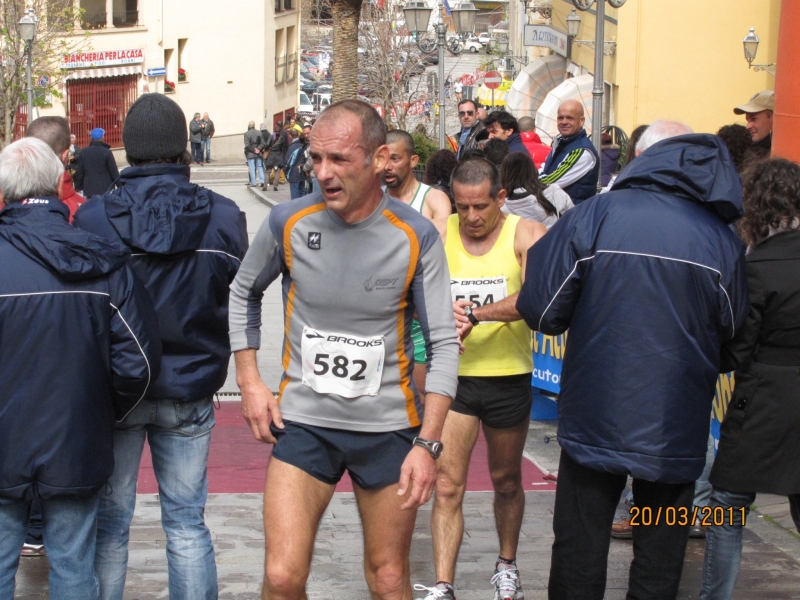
{"points": [[586, 501]]}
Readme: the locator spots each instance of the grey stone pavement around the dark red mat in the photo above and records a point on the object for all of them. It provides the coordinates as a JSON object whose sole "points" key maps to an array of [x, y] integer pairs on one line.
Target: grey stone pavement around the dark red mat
{"points": [[770, 564]]}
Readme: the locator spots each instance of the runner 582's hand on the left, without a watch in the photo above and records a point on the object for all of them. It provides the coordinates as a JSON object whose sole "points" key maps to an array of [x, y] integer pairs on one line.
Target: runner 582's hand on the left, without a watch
{"points": [[259, 405]]}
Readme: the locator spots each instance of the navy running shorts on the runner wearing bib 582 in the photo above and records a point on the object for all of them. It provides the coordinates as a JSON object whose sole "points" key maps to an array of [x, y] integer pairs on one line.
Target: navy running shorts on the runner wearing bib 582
{"points": [[372, 459]]}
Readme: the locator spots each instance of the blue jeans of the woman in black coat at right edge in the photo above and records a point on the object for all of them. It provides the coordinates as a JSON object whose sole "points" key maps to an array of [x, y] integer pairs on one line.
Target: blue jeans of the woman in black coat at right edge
{"points": [[724, 543]]}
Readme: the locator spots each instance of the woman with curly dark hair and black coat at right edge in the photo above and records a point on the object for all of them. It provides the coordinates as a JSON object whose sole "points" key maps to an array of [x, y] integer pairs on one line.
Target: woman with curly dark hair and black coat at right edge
{"points": [[759, 447]]}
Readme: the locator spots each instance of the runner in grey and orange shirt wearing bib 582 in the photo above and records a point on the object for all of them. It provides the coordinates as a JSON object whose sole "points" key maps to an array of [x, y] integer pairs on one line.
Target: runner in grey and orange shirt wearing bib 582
{"points": [[355, 267]]}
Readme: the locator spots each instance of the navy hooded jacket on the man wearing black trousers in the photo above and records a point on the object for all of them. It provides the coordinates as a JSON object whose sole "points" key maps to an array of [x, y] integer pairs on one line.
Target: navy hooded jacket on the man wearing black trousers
{"points": [[650, 282]]}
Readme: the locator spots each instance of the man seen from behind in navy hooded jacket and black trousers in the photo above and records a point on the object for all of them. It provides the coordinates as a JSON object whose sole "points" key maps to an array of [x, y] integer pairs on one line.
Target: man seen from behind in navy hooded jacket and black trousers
{"points": [[650, 281]]}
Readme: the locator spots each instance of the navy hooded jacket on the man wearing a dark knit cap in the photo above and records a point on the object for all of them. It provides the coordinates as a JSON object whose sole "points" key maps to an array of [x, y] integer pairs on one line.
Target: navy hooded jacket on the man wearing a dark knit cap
{"points": [[187, 244]]}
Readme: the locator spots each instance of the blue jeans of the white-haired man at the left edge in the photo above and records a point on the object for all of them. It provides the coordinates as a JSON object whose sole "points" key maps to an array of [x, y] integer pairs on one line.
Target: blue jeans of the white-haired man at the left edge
{"points": [[70, 529]]}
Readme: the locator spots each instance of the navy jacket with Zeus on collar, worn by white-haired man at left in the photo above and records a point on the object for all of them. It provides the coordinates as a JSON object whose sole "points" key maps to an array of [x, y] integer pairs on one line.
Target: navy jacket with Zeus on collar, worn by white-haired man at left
{"points": [[78, 348]]}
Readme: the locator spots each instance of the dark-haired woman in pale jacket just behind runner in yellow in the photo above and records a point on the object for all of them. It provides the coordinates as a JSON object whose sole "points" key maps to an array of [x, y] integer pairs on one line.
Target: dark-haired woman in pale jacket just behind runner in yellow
{"points": [[527, 196]]}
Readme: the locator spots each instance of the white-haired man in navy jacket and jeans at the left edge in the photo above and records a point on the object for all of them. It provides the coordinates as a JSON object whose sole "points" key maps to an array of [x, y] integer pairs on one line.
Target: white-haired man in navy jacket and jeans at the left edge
{"points": [[63, 292]]}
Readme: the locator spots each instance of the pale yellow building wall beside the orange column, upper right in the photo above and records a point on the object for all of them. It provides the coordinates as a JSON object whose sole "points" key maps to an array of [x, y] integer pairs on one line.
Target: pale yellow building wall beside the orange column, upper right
{"points": [[681, 59]]}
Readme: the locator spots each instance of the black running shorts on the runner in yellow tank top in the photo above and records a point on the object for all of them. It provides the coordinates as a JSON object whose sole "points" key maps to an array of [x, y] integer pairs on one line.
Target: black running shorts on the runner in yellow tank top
{"points": [[499, 402]]}
